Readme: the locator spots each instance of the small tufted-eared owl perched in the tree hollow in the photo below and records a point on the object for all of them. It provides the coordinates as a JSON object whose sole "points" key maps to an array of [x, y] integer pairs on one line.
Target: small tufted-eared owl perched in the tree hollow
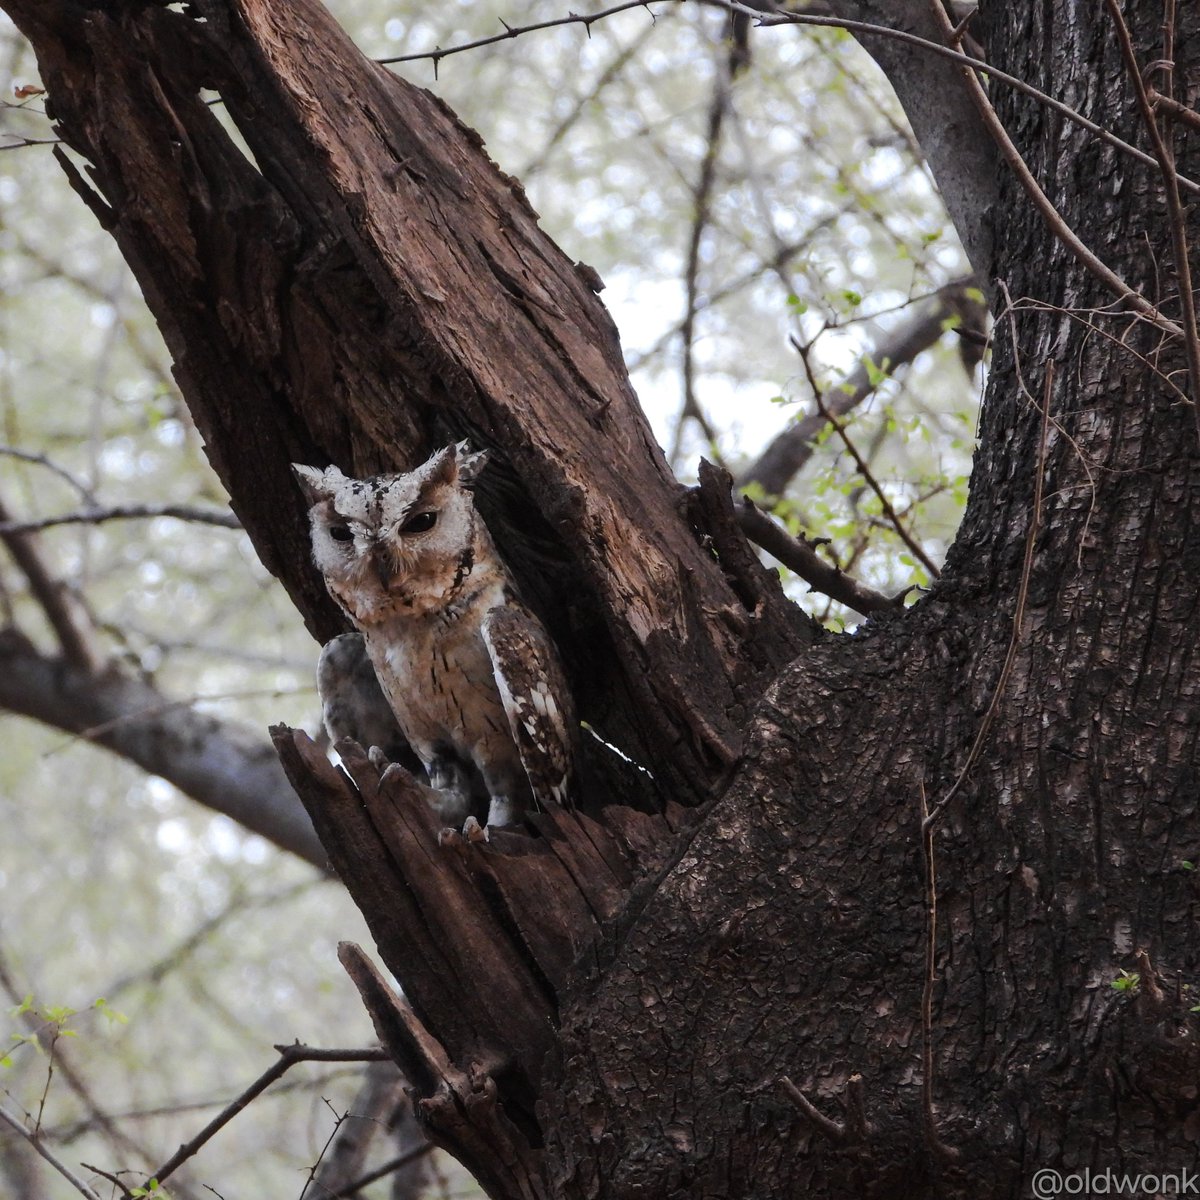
{"points": [[470, 673]]}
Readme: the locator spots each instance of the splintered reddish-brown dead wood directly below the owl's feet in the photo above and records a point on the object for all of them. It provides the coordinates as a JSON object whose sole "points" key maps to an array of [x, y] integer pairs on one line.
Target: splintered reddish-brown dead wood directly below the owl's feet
{"points": [[483, 937]]}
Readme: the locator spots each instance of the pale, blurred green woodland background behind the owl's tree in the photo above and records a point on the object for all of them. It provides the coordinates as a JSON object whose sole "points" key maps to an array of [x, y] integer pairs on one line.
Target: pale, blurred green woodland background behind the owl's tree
{"points": [[767, 233]]}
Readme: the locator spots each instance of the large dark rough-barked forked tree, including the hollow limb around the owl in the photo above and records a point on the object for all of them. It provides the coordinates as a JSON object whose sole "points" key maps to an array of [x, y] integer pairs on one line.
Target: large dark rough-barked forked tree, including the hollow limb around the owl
{"points": [[613, 1010]]}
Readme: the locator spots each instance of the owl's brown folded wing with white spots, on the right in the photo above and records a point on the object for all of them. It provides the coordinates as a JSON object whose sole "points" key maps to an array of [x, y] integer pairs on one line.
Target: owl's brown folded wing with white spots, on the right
{"points": [[536, 700]]}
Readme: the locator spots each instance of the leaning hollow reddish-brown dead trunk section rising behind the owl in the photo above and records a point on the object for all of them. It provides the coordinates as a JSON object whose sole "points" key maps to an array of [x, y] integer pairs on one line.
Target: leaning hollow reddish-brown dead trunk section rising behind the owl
{"points": [[371, 284]]}
